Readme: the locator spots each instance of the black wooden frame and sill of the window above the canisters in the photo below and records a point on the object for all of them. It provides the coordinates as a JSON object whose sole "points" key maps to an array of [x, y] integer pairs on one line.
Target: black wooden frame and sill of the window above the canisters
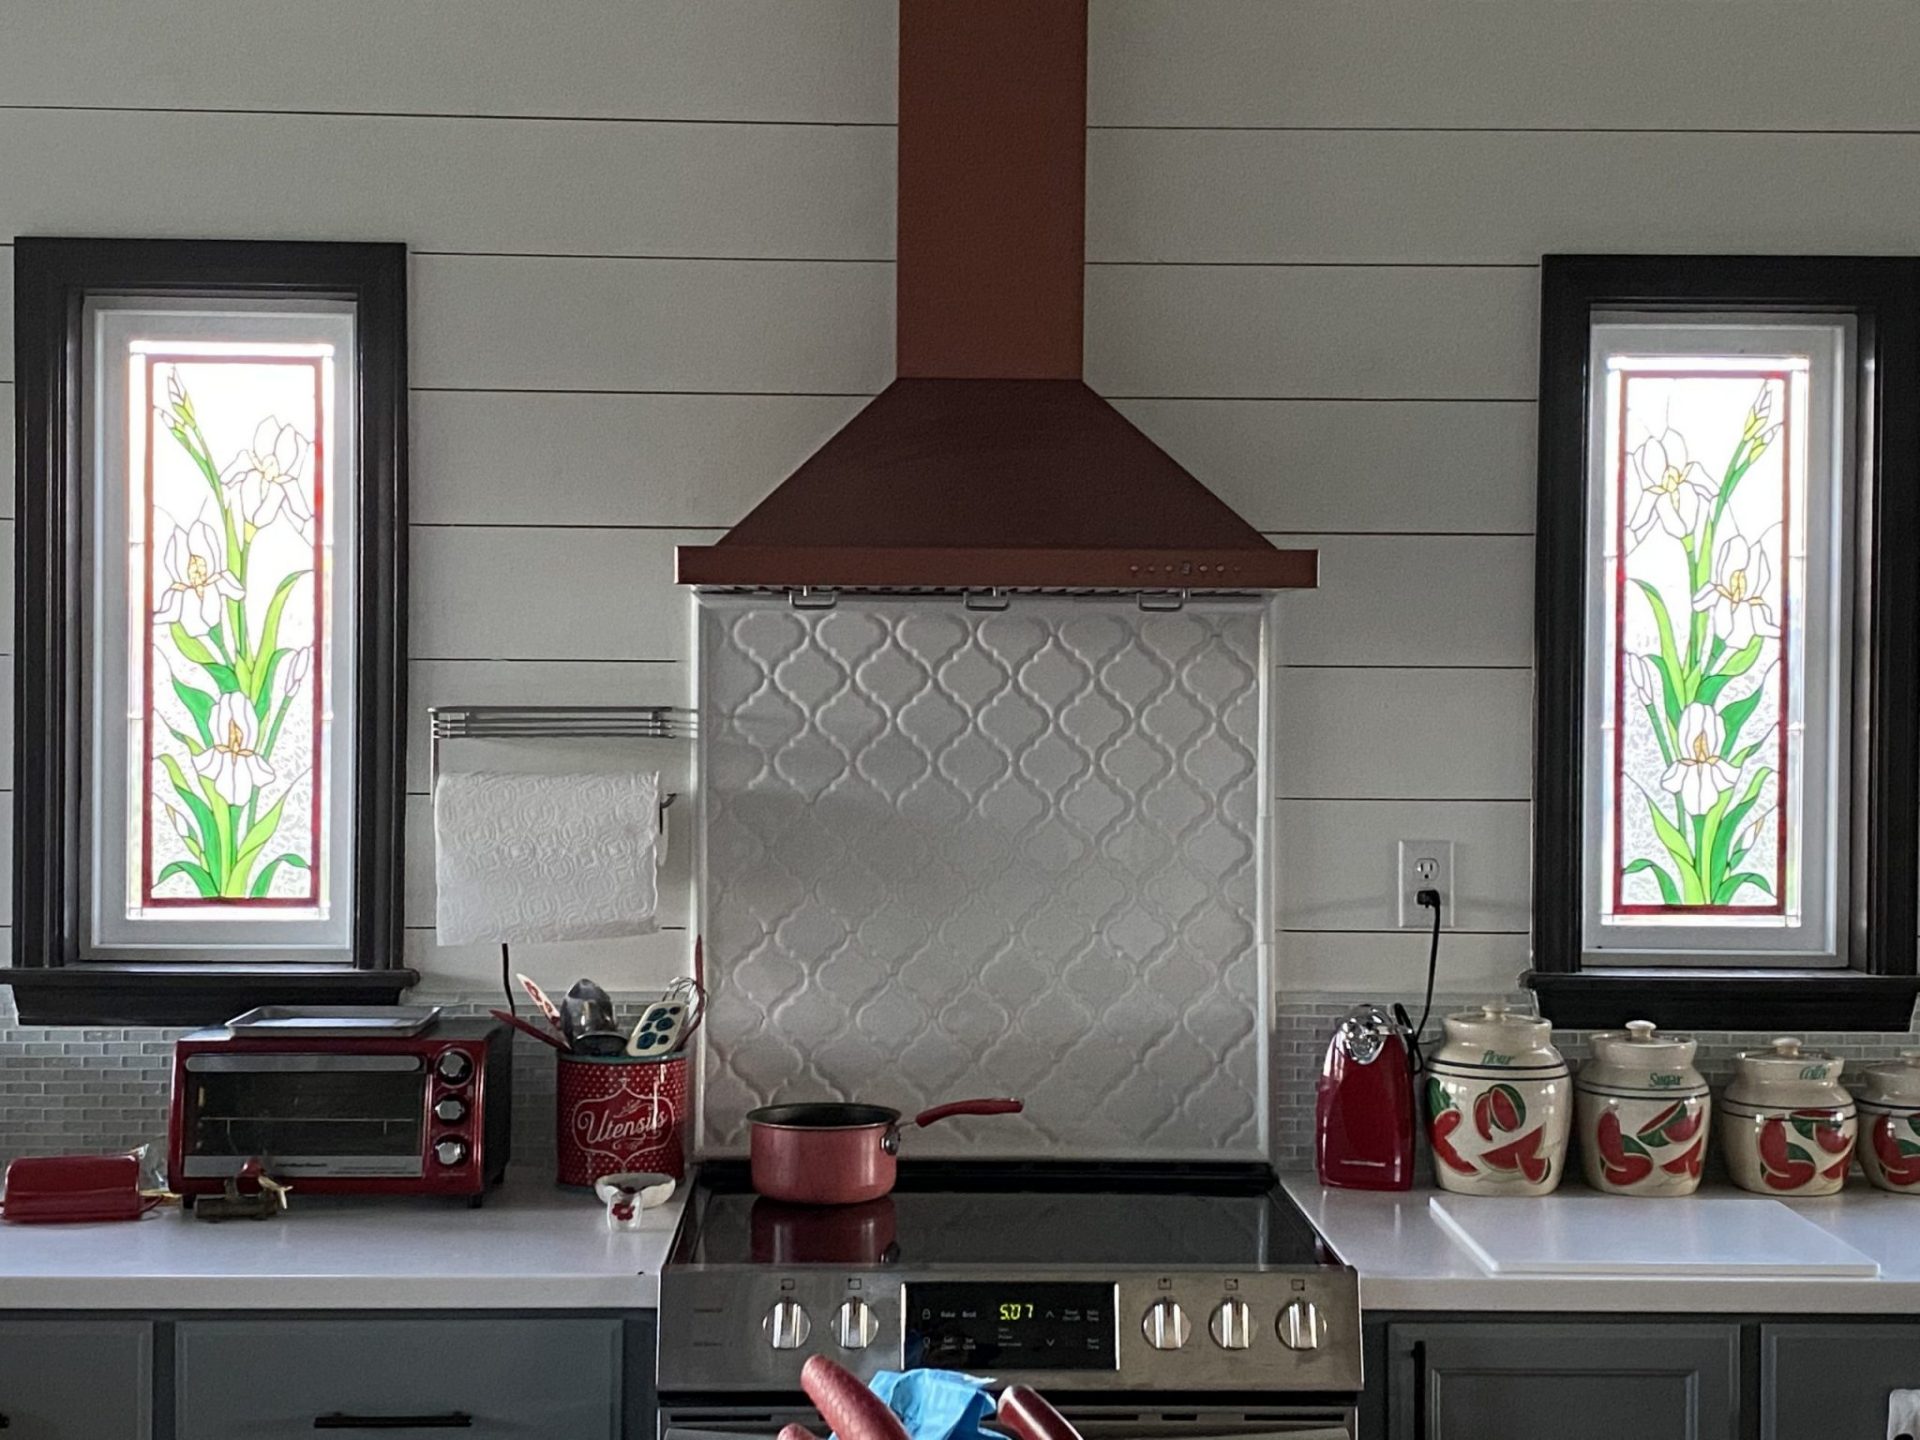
{"points": [[1879, 923]]}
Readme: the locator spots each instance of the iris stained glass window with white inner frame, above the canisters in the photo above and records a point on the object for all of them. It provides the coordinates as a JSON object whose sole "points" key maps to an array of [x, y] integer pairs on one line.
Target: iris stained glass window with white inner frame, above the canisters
{"points": [[1717, 544]]}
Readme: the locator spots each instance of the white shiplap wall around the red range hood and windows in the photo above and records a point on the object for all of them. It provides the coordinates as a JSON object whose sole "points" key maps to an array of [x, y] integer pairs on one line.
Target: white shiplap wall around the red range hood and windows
{"points": [[654, 270]]}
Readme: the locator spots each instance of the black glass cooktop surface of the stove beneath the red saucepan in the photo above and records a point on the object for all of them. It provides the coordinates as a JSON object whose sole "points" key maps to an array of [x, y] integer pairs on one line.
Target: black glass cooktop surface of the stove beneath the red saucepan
{"points": [[959, 1214]]}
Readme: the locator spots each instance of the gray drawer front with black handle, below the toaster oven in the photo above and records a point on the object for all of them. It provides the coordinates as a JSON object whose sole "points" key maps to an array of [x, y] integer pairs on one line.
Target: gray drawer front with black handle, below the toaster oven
{"points": [[489, 1380]]}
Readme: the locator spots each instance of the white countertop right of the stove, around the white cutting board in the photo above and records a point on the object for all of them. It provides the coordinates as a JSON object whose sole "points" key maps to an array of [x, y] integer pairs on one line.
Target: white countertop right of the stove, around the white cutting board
{"points": [[1408, 1262]]}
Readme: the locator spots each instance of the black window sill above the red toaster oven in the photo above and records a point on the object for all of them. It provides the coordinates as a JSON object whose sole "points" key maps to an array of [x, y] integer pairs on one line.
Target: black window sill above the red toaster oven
{"points": [[187, 996]]}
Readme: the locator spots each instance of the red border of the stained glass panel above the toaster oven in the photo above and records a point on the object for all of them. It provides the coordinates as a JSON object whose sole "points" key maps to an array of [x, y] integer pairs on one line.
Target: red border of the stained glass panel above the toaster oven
{"points": [[316, 671]]}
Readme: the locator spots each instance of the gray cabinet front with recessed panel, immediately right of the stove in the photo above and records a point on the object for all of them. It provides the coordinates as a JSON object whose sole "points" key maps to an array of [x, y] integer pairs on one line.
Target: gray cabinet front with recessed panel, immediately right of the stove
{"points": [[1572, 1381]]}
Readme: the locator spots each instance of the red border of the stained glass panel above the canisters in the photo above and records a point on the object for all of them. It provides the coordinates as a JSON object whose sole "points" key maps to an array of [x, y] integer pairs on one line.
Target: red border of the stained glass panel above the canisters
{"points": [[1620, 648]]}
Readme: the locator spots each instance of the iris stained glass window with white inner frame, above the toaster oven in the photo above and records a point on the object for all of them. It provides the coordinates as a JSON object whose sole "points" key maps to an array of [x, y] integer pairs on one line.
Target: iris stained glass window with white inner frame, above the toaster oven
{"points": [[220, 809]]}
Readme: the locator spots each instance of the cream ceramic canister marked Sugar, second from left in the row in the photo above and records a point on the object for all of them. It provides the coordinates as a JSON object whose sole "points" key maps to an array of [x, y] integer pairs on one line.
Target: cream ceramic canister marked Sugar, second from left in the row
{"points": [[1643, 1113]]}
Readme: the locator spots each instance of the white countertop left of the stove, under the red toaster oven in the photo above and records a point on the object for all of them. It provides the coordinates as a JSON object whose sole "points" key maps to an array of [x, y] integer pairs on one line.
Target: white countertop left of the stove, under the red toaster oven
{"points": [[531, 1247]]}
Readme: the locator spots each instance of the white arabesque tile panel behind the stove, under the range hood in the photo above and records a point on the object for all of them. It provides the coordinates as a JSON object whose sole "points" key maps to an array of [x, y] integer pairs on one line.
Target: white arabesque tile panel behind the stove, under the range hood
{"points": [[957, 853]]}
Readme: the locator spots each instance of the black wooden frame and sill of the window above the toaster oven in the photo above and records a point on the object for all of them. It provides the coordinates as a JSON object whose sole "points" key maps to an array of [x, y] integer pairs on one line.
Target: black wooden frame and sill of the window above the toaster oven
{"points": [[55, 982]]}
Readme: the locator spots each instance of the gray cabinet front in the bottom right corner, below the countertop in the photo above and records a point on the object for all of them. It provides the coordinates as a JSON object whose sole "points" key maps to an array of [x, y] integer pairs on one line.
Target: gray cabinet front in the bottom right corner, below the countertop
{"points": [[1831, 1380]]}
